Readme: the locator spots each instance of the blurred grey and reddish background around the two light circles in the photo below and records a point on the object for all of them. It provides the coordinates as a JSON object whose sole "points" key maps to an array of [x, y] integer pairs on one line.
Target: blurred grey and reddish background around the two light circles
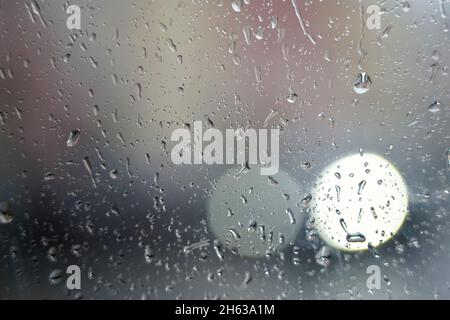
{"points": [[111, 201]]}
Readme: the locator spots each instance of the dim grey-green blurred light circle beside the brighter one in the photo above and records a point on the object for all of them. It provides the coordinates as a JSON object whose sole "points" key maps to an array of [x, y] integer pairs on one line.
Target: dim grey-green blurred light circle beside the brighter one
{"points": [[255, 215]]}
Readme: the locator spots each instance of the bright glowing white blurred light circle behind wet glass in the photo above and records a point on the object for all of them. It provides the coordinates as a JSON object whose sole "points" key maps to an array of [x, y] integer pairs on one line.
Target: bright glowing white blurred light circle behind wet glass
{"points": [[359, 201]]}
